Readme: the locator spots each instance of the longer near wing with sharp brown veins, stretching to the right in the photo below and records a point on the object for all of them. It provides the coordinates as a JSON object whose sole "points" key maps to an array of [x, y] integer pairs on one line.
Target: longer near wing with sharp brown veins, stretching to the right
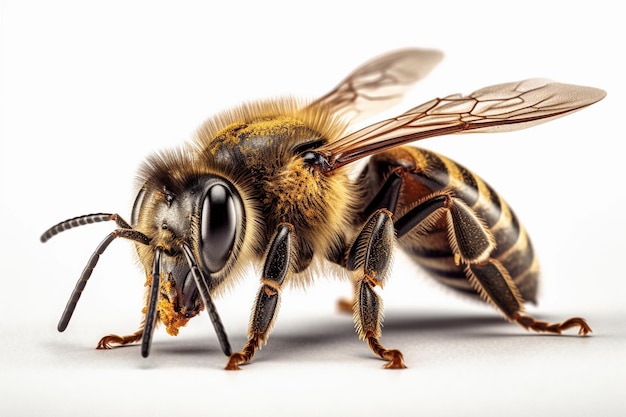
{"points": [[498, 108]]}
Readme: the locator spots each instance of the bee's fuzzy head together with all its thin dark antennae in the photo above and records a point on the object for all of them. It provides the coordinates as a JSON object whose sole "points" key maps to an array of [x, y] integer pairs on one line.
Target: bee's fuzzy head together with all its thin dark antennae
{"points": [[188, 226]]}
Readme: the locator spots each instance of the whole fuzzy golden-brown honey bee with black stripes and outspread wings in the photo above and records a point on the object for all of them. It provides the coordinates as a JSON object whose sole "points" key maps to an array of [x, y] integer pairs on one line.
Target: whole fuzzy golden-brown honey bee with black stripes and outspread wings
{"points": [[270, 184]]}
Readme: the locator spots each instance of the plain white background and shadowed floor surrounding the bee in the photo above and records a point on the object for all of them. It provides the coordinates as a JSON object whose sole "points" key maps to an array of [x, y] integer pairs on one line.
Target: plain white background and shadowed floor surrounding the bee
{"points": [[89, 90]]}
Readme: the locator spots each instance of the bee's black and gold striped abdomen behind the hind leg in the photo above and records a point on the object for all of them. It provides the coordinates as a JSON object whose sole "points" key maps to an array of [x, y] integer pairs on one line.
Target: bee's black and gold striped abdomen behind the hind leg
{"points": [[424, 172]]}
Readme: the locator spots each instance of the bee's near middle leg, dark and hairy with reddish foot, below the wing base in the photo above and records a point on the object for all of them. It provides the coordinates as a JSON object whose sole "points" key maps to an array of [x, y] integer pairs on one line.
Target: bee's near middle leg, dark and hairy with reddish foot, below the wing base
{"points": [[369, 258]]}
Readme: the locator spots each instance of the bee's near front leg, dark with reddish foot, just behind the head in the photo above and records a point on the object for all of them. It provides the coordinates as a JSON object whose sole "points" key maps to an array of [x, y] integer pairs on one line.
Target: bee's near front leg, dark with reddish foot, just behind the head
{"points": [[277, 264]]}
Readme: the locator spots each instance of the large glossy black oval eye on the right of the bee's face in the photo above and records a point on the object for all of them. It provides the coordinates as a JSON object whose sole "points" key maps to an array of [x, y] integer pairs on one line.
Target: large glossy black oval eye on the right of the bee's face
{"points": [[218, 227]]}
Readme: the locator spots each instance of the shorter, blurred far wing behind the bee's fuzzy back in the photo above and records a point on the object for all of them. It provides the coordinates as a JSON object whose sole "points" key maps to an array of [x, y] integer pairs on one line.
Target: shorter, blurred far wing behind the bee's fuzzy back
{"points": [[379, 84]]}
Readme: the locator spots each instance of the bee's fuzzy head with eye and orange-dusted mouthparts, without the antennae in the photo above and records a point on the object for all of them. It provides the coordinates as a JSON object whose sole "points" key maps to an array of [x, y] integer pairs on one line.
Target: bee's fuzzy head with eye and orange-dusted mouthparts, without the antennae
{"points": [[182, 203]]}
